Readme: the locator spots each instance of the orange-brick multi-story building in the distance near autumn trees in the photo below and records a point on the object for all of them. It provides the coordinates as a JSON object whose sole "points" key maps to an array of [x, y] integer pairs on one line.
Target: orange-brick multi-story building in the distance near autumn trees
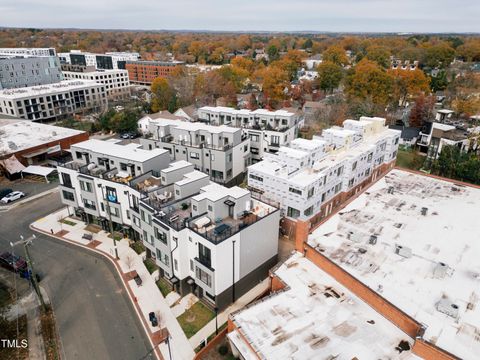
{"points": [[144, 72]]}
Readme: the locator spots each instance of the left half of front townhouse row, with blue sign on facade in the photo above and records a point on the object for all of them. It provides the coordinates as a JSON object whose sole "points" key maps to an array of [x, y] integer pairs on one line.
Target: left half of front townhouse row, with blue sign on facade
{"points": [[101, 182]]}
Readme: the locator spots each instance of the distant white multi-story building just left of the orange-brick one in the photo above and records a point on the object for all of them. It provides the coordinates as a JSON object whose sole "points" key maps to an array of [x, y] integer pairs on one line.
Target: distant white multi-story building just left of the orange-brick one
{"points": [[117, 84]]}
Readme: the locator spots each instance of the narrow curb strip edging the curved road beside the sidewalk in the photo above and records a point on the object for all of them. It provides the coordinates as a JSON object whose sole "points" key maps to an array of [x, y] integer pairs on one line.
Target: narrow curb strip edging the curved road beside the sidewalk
{"points": [[125, 285]]}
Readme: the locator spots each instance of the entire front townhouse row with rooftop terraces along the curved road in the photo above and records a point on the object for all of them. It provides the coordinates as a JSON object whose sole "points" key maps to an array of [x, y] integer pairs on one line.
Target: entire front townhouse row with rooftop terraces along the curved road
{"points": [[203, 236]]}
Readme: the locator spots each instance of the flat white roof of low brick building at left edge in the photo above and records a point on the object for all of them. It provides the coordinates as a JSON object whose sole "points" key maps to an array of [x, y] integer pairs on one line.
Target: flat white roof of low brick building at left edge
{"points": [[18, 135]]}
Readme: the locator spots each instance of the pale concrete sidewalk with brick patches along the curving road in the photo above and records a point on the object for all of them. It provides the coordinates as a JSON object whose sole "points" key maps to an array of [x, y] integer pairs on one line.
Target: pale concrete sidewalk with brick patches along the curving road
{"points": [[146, 298]]}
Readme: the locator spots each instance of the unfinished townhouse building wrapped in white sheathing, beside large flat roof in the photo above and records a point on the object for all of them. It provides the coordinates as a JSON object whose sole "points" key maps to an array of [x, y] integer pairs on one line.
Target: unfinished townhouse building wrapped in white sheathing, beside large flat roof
{"points": [[311, 178]]}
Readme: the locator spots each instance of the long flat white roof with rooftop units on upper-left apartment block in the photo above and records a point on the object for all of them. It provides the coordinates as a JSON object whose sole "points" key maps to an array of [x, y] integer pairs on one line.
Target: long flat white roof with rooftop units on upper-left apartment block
{"points": [[60, 87]]}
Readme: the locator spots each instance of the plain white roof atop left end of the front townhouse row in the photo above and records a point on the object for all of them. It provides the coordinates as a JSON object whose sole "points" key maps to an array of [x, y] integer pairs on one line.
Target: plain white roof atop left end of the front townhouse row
{"points": [[131, 151]]}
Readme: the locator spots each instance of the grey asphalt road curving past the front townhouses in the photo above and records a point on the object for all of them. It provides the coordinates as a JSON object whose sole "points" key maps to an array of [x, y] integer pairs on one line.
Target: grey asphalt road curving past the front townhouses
{"points": [[95, 317]]}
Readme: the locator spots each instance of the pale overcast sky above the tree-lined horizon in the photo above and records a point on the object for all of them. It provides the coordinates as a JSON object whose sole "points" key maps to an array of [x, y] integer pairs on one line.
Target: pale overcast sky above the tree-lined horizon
{"points": [[247, 15]]}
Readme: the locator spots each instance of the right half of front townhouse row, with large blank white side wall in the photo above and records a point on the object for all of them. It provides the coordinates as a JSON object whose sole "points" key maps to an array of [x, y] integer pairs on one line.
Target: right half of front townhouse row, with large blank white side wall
{"points": [[204, 236]]}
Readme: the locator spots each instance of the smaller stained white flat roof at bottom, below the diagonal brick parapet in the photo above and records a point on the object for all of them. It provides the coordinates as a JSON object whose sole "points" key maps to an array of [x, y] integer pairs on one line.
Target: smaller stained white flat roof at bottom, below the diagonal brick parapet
{"points": [[317, 318]]}
